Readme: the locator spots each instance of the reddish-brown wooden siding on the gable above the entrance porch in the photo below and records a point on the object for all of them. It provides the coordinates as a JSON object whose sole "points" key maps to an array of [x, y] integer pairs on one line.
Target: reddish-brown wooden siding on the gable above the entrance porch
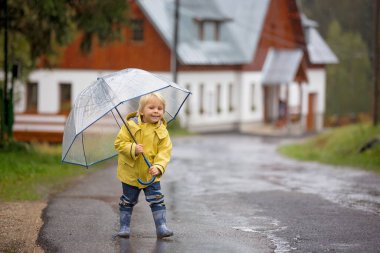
{"points": [[282, 29]]}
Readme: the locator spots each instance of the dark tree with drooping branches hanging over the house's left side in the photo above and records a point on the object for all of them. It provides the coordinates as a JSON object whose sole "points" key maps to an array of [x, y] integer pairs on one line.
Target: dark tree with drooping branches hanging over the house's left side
{"points": [[37, 28]]}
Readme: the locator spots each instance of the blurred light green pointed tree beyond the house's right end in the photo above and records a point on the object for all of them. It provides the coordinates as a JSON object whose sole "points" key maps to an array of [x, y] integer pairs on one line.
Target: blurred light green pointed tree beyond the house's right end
{"points": [[348, 83]]}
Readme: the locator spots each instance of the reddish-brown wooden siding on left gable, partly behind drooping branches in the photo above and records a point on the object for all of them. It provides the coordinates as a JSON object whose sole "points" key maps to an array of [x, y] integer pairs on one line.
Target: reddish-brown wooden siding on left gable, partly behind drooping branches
{"points": [[152, 53]]}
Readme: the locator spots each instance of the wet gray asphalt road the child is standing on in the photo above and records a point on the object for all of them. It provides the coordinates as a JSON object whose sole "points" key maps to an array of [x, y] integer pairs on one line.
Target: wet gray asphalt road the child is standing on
{"points": [[225, 193]]}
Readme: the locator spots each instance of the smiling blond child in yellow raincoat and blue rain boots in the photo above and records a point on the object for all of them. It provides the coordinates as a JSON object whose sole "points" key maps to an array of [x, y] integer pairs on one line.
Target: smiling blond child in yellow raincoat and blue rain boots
{"points": [[149, 129]]}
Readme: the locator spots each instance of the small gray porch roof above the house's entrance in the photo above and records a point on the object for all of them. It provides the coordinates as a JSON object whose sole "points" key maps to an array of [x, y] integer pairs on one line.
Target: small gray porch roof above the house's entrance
{"points": [[281, 66]]}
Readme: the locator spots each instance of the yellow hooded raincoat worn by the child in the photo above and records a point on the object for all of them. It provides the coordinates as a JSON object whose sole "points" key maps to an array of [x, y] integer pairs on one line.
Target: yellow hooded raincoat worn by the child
{"points": [[157, 149]]}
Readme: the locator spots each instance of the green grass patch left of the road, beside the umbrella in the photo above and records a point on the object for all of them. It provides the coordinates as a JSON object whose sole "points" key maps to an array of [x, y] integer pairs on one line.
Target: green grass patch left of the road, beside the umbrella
{"points": [[33, 172]]}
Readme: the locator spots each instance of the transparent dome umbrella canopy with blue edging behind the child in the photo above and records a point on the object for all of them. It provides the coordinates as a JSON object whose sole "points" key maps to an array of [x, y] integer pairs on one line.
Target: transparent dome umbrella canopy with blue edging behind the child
{"points": [[94, 121]]}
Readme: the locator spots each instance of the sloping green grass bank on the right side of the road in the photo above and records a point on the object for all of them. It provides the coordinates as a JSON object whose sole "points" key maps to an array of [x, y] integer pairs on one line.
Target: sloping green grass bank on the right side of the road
{"points": [[339, 146]]}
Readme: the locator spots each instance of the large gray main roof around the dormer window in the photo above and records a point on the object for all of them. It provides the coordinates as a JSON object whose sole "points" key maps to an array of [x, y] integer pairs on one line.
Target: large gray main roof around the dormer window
{"points": [[239, 34]]}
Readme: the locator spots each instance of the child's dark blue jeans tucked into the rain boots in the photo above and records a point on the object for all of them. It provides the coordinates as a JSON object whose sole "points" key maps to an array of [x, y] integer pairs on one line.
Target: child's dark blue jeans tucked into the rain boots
{"points": [[152, 193]]}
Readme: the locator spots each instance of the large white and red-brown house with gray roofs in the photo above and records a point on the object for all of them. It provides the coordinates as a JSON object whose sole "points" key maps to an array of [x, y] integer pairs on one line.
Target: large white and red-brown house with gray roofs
{"points": [[253, 66]]}
